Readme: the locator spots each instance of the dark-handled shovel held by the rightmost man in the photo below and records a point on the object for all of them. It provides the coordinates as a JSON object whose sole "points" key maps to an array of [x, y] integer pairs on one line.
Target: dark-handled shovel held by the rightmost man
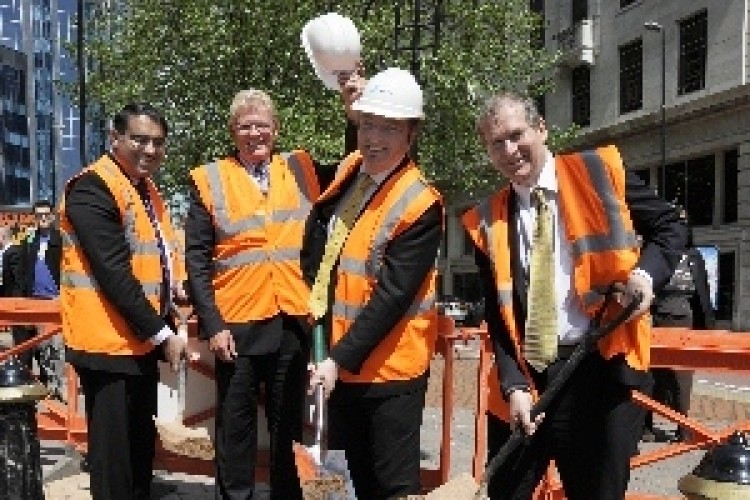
{"points": [[595, 332]]}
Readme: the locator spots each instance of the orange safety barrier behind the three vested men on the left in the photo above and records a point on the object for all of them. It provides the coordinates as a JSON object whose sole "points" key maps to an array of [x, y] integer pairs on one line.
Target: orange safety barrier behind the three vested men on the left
{"points": [[63, 421]]}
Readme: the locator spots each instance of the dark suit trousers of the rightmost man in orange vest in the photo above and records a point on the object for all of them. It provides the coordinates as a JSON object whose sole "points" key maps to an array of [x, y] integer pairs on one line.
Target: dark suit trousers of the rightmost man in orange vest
{"points": [[591, 431]]}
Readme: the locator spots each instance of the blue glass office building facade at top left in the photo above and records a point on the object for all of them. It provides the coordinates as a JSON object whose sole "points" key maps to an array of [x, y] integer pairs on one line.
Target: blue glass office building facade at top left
{"points": [[39, 126]]}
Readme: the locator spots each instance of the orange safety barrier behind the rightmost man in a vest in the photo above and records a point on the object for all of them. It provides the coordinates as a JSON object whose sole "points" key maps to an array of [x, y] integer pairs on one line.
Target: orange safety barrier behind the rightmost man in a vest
{"points": [[681, 348]]}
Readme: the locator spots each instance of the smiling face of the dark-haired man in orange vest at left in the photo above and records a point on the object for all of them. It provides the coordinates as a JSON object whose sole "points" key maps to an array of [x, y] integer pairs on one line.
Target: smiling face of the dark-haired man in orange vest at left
{"points": [[140, 148]]}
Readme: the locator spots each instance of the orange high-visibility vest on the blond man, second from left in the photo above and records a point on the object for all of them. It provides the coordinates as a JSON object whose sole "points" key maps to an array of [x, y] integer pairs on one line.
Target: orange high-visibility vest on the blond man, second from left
{"points": [[258, 238]]}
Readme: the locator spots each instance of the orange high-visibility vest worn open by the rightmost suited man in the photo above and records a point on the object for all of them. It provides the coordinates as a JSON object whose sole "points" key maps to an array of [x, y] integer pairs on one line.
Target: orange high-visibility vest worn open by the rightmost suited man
{"points": [[603, 244]]}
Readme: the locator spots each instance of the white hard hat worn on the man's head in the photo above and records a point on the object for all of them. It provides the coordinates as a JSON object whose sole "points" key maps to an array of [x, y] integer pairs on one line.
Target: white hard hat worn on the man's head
{"points": [[392, 93]]}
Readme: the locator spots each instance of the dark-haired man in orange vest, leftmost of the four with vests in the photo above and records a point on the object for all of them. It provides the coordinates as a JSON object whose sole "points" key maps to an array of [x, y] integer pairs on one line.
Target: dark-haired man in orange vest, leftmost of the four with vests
{"points": [[120, 275]]}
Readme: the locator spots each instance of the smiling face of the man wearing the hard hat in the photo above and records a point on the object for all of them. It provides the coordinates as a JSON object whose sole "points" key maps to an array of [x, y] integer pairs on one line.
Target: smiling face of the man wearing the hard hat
{"points": [[384, 141]]}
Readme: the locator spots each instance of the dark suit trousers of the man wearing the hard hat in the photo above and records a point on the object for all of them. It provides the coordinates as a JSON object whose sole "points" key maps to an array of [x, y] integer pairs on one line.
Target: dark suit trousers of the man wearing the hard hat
{"points": [[380, 436]]}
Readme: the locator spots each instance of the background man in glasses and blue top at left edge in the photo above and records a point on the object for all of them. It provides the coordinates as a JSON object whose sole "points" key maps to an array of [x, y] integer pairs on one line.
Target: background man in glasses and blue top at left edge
{"points": [[38, 276]]}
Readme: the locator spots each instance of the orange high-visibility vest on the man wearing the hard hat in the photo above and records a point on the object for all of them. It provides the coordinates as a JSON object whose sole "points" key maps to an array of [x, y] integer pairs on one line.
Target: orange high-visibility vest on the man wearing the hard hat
{"points": [[406, 351]]}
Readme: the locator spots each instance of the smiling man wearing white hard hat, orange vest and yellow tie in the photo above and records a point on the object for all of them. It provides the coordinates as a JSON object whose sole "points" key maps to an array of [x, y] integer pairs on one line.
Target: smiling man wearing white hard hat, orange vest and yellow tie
{"points": [[369, 253]]}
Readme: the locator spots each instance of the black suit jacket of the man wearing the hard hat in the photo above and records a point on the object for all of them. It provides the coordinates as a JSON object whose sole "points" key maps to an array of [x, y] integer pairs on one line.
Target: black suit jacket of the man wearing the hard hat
{"points": [[406, 262]]}
